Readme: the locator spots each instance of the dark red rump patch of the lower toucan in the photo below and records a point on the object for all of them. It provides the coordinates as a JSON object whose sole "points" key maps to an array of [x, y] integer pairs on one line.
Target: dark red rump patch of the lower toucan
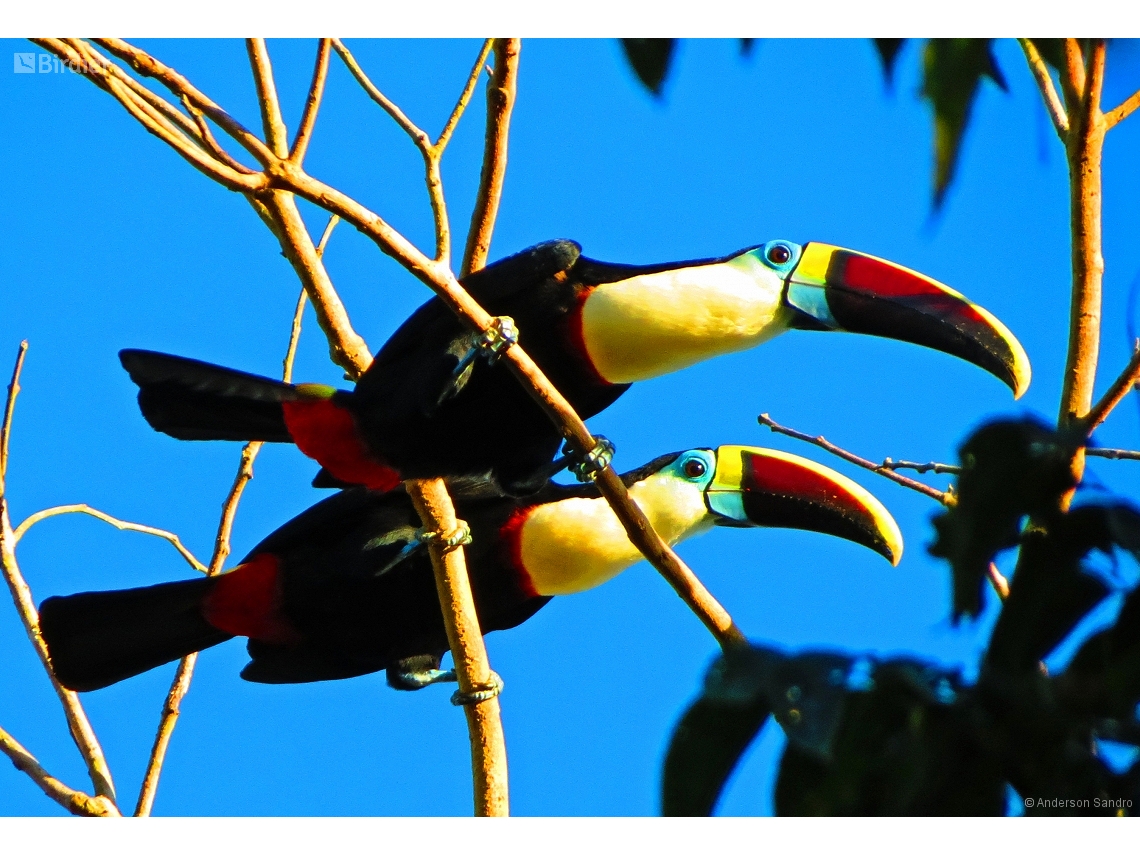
{"points": [[248, 601]]}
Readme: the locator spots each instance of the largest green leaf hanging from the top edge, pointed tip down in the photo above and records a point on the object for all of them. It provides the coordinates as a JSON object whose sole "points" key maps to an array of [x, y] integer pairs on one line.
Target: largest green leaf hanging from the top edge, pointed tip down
{"points": [[952, 71]]}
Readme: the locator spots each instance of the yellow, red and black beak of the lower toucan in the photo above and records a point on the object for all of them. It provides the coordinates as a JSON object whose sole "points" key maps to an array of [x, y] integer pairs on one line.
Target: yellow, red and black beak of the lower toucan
{"points": [[763, 487]]}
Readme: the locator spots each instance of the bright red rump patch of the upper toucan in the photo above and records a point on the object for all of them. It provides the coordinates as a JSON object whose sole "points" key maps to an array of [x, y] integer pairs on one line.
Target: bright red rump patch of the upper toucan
{"points": [[327, 433]]}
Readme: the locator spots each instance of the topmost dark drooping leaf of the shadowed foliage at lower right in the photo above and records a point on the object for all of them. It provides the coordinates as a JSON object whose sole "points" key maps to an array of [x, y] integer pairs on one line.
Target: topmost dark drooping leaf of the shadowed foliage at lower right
{"points": [[1009, 470]]}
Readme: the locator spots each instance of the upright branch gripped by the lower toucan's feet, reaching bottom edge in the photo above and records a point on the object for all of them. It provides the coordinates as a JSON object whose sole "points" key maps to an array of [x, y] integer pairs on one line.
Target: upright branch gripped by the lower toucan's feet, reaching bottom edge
{"points": [[473, 670]]}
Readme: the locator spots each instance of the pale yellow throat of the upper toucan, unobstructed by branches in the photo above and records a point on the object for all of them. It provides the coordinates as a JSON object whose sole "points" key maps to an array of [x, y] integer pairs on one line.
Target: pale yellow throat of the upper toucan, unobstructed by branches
{"points": [[658, 323]]}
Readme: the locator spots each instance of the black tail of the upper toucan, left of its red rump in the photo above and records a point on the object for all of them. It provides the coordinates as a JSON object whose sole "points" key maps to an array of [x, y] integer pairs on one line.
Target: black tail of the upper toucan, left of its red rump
{"points": [[196, 401]]}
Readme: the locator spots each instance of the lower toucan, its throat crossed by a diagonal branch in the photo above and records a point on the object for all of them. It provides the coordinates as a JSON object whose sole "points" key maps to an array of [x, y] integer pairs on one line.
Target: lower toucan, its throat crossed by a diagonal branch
{"points": [[345, 589]]}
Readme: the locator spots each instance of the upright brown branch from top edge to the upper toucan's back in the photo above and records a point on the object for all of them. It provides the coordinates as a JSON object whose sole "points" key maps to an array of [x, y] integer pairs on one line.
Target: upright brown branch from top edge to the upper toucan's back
{"points": [[501, 95]]}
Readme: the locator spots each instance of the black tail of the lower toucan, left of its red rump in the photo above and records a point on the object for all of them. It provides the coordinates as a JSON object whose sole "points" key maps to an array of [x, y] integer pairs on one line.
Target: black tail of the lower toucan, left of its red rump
{"points": [[102, 638]]}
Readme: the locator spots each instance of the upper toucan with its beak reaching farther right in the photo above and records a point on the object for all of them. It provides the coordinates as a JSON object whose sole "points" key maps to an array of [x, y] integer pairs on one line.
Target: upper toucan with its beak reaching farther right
{"points": [[428, 406]]}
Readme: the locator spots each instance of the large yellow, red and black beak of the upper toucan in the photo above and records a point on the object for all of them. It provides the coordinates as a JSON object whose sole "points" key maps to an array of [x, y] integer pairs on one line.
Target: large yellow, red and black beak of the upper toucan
{"points": [[836, 289]]}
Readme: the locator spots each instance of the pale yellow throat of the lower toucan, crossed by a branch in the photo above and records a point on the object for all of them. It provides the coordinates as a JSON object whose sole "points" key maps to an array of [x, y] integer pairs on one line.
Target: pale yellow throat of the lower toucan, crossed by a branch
{"points": [[577, 544]]}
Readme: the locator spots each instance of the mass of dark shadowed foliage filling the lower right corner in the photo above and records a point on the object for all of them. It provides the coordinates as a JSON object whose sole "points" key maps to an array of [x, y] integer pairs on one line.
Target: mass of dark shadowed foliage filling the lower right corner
{"points": [[901, 737]]}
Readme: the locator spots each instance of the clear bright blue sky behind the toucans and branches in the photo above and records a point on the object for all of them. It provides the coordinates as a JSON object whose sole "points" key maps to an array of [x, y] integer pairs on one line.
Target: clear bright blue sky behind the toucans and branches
{"points": [[111, 241]]}
